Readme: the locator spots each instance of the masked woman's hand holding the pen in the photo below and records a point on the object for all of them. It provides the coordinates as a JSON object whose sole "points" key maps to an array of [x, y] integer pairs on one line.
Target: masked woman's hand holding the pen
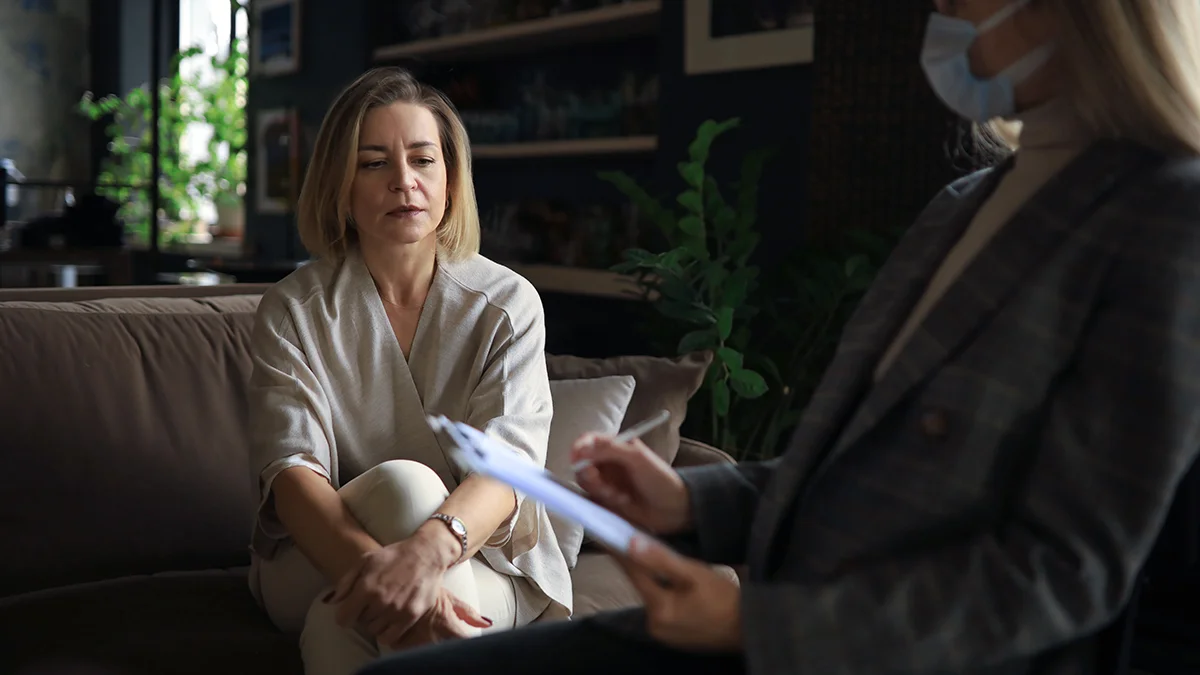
{"points": [[633, 482]]}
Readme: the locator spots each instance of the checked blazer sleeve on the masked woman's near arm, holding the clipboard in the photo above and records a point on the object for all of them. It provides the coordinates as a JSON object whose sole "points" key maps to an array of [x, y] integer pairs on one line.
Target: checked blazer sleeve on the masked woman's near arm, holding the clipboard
{"points": [[1115, 438]]}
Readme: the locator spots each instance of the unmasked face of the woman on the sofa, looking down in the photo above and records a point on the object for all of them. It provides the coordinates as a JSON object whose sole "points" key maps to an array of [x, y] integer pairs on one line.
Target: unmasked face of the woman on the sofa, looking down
{"points": [[399, 195]]}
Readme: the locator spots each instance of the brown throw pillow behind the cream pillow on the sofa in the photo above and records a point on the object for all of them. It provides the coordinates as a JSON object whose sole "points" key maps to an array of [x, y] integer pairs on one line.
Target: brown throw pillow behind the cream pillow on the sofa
{"points": [[662, 385]]}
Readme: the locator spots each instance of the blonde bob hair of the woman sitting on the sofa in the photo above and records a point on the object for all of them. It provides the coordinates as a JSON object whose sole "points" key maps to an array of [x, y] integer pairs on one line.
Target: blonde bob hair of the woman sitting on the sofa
{"points": [[325, 208]]}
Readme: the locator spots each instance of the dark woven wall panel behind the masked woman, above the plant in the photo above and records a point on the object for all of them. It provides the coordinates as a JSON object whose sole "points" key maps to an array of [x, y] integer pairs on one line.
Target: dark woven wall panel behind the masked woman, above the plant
{"points": [[881, 140]]}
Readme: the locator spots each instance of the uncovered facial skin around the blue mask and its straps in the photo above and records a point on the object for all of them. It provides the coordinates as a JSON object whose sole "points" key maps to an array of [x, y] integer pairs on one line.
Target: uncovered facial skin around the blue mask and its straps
{"points": [[997, 50]]}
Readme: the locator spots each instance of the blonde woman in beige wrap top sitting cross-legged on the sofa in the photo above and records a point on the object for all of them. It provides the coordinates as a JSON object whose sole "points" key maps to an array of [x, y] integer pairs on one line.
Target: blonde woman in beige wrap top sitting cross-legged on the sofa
{"points": [[370, 537]]}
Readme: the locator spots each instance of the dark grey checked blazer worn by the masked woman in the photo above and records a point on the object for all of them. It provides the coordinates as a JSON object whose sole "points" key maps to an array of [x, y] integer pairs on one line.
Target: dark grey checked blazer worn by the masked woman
{"points": [[987, 506]]}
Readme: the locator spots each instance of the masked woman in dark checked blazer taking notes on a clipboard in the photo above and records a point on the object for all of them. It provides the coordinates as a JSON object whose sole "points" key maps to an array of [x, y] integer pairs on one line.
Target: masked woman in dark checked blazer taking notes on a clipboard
{"points": [[992, 453]]}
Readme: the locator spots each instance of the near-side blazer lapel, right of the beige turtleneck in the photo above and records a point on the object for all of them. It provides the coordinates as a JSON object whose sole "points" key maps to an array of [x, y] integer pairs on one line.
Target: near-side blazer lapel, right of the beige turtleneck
{"points": [[989, 280]]}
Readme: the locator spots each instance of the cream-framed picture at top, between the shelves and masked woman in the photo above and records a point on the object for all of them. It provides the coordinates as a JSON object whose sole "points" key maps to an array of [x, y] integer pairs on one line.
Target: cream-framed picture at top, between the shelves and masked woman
{"points": [[734, 35]]}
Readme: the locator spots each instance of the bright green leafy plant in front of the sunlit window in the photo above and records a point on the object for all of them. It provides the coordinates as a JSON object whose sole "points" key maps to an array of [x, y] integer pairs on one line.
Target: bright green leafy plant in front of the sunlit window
{"points": [[125, 172]]}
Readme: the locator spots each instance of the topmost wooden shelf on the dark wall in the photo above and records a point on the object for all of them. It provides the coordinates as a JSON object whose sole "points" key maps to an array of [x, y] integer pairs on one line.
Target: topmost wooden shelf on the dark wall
{"points": [[627, 20]]}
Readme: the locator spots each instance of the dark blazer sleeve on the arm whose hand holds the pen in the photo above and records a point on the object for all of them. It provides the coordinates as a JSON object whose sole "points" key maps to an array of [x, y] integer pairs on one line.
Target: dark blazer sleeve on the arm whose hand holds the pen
{"points": [[724, 500]]}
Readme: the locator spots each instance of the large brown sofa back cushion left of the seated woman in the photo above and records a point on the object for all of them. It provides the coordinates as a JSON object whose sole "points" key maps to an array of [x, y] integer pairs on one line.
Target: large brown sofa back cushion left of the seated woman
{"points": [[125, 431]]}
